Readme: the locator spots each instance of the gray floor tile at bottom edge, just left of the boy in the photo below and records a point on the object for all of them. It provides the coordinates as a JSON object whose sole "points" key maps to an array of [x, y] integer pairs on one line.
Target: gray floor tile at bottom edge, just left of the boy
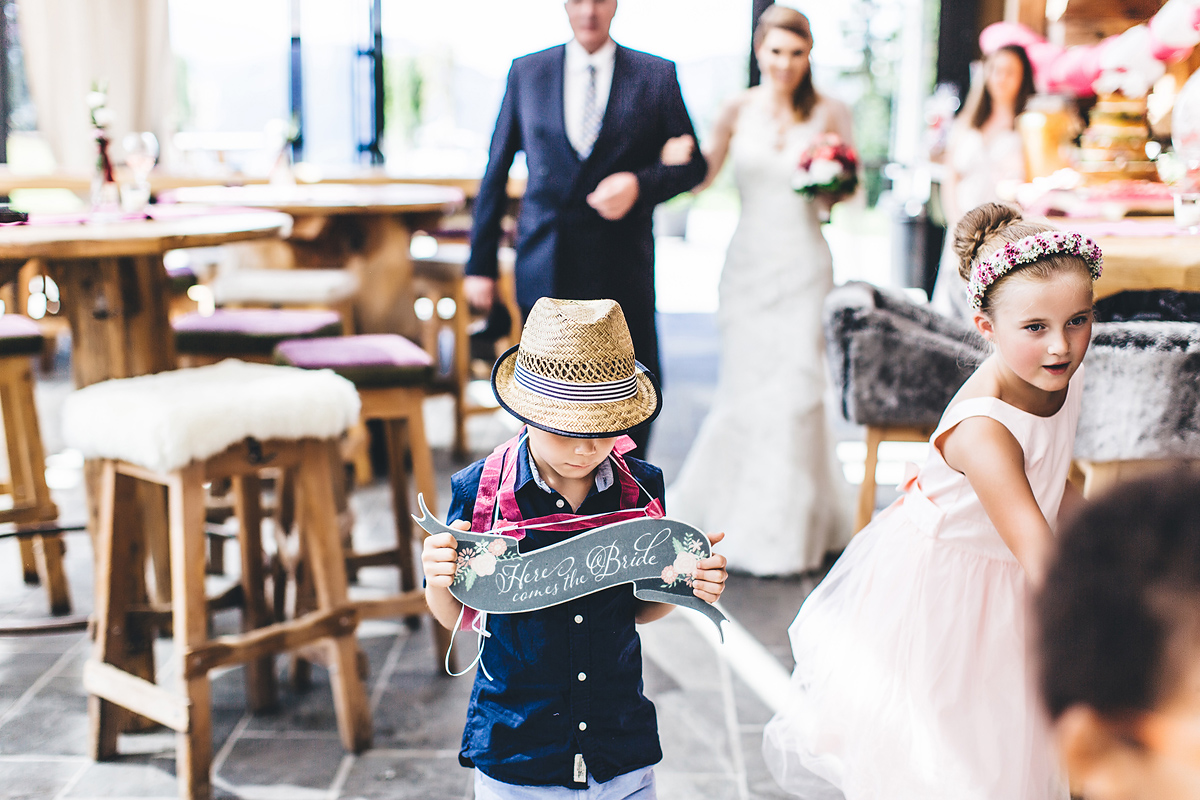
{"points": [[393, 777]]}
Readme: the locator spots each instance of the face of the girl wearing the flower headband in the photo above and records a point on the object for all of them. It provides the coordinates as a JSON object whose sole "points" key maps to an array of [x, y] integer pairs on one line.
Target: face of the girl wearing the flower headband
{"points": [[1041, 328]]}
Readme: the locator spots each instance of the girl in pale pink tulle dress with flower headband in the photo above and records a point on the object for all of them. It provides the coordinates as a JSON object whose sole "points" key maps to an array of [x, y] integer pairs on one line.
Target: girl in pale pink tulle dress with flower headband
{"points": [[911, 677]]}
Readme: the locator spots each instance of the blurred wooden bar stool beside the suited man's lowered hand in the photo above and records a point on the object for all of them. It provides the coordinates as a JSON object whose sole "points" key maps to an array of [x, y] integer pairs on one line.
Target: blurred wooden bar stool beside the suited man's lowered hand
{"points": [[439, 279]]}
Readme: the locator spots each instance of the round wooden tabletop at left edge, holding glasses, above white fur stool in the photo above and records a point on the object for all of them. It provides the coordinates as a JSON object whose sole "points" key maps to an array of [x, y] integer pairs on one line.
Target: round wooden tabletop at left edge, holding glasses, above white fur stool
{"points": [[89, 238]]}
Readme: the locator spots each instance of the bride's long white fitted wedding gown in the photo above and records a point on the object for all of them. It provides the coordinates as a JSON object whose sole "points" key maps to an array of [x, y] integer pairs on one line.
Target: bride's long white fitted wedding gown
{"points": [[763, 468]]}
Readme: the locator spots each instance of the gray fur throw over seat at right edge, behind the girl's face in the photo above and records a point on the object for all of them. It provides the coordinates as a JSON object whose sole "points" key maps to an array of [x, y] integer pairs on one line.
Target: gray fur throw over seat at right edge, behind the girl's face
{"points": [[1142, 393]]}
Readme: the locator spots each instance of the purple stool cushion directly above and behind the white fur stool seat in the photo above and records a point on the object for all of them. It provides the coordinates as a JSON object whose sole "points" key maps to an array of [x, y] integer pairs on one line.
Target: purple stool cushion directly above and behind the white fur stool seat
{"points": [[251, 332]]}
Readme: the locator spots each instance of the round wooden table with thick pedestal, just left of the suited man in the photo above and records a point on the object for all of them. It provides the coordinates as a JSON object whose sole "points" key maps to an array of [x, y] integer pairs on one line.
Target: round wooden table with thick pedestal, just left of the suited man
{"points": [[367, 228]]}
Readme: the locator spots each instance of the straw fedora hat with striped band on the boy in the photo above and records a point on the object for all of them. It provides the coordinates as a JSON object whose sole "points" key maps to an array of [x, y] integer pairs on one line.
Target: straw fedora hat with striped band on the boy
{"points": [[574, 372]]}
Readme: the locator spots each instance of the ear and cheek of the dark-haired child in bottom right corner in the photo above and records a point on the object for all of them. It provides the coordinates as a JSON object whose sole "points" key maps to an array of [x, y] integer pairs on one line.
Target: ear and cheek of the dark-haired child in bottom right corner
{"points": [[1151, 756]]}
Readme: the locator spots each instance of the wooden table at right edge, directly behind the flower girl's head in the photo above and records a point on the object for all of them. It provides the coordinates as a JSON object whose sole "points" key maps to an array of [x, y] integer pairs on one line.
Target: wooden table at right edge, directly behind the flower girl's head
{"points": [[1142, 254]]}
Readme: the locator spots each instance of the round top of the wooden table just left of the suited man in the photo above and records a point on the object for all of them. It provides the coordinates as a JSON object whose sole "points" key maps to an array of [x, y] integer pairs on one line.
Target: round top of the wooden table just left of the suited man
{"points": [[329, 199]]}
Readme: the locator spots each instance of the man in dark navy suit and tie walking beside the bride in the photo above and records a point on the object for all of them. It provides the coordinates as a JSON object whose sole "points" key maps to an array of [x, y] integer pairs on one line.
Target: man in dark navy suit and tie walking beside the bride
{"points": [[592, 119]]}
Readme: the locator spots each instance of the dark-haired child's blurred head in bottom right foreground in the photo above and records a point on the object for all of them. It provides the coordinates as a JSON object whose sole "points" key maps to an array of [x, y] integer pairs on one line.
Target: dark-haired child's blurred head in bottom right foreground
{"points": [[1119, 629]]}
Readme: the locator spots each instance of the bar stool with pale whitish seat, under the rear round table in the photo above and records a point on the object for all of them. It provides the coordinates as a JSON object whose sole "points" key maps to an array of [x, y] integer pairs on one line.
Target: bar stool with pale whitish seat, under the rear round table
{"points": [[329, 290]]}
